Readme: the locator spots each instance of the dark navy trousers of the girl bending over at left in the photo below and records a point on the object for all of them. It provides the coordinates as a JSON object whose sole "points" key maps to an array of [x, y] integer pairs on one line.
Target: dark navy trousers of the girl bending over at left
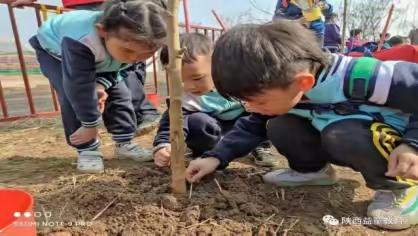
{"points": [[119, 117]]}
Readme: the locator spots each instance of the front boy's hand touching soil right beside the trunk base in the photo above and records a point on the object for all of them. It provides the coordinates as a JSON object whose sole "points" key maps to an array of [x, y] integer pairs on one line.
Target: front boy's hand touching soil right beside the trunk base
{"points": [[200, 167]]}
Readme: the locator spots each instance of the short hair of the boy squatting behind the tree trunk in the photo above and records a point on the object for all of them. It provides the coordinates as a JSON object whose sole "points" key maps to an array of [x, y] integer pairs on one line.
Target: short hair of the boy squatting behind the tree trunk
{"points": [[194, 44]]}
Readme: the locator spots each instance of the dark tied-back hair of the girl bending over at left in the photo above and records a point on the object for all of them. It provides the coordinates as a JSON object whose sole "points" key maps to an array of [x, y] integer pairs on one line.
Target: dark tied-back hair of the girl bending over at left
{"points": [[144, 18]]}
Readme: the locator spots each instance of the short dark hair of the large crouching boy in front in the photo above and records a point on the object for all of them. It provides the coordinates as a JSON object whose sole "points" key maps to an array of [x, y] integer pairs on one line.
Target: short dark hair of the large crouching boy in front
{"points": [[250, 58]]}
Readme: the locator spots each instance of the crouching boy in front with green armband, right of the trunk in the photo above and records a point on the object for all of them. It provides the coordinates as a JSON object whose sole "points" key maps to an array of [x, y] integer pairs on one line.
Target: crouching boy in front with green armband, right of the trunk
{"points": [[359, 113]]}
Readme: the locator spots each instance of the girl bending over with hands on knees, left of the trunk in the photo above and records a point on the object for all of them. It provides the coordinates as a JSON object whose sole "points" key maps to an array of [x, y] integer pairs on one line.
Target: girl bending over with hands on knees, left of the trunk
{"points": [[80, 52]]}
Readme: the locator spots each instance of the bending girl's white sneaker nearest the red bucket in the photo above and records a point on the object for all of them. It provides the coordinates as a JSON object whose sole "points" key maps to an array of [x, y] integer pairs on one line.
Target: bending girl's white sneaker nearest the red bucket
{"points": [[90, 162]]}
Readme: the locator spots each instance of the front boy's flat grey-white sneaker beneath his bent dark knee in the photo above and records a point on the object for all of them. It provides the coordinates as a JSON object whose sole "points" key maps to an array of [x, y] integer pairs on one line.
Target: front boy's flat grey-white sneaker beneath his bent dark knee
{"points": [[291, 178]]}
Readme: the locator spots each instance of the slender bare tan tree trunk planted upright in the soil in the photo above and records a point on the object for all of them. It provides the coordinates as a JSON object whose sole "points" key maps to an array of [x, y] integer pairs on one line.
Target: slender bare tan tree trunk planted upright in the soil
{"points": [[178, 168]]}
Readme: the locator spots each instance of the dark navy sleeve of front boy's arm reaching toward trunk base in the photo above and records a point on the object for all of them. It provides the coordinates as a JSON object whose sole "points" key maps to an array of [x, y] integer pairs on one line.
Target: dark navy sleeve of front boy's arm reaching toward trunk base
{"points": [[248, 132]]}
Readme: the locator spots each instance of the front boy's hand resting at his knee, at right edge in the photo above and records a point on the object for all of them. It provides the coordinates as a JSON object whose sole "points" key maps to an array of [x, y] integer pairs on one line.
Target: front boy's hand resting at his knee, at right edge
{"points": [[403, 162]]}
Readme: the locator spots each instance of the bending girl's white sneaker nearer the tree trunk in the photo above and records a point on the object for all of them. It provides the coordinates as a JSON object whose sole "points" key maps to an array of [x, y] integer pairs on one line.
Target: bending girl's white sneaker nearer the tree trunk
{"points": [[132, 151]]}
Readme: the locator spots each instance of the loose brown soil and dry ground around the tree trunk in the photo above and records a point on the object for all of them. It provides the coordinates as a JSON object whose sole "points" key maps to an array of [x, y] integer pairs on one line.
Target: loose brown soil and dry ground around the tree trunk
{"points": [[34, 157]]}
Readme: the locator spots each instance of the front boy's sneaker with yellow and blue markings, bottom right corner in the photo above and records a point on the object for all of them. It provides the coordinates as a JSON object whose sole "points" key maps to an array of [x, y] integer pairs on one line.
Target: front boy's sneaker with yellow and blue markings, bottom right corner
{"points": [[397, 209]]}
